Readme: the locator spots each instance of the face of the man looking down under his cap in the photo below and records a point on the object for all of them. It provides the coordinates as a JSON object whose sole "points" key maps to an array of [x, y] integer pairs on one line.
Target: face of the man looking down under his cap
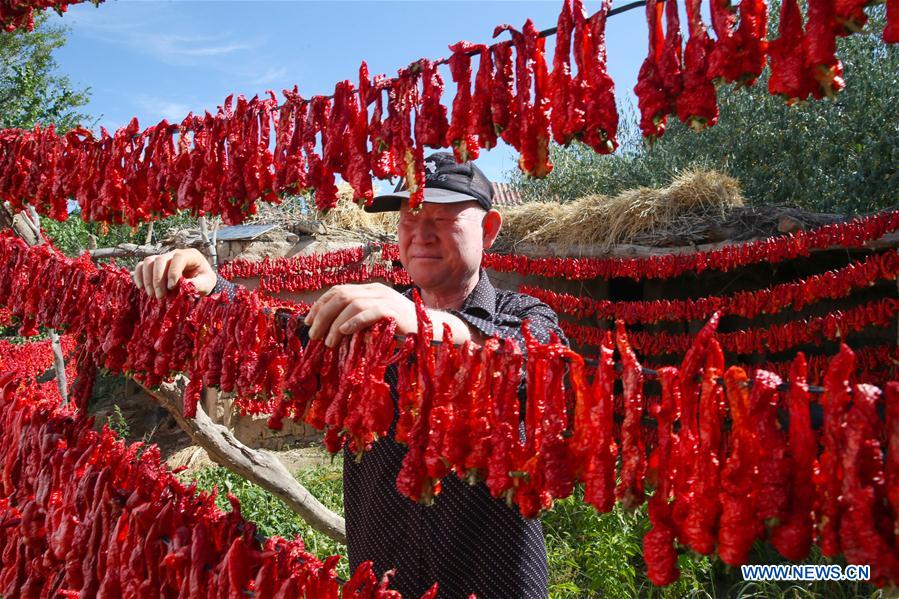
{"points": [[441, 245]]}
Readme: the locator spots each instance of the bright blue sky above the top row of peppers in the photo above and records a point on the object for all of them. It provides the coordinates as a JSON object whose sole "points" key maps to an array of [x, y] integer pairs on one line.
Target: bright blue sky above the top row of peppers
{"points": [[161, 59]]}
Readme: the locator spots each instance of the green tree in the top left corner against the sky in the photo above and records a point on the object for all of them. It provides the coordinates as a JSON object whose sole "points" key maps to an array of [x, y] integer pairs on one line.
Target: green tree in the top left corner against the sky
{"points": [[31, 89]]}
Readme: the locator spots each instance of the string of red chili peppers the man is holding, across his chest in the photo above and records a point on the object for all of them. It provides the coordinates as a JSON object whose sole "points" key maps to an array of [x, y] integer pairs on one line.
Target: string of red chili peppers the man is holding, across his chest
{"points": [[455, 417]]}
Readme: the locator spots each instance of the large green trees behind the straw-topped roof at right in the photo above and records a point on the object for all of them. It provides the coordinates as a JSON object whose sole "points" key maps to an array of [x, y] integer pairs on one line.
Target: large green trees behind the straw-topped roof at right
{"points": [[830, 156]]}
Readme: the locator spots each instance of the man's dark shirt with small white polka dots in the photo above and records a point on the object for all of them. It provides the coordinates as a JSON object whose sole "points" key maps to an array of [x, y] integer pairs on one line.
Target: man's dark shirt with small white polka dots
{"points": [[467, 541]]}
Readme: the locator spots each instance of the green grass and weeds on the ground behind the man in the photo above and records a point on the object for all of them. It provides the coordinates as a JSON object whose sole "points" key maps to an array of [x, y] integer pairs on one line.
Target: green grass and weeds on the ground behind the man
{"points": [[590, 554]]}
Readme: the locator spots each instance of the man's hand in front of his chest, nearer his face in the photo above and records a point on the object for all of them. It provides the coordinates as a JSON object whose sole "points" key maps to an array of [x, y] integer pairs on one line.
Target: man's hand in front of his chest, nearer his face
{"points": [[345, 309]]}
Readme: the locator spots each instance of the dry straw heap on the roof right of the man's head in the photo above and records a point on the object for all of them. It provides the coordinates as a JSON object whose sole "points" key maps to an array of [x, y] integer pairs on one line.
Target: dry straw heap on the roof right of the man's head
{"points": [[693, 199]]}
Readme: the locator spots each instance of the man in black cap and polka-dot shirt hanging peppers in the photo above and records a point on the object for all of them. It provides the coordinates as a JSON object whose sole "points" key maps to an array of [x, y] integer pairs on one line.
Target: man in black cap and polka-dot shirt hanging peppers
{"points": [[467, 541]]}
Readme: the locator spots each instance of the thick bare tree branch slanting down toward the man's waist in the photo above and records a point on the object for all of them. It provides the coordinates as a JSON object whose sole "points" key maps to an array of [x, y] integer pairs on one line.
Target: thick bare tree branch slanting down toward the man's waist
{"points": [[257, 466]]}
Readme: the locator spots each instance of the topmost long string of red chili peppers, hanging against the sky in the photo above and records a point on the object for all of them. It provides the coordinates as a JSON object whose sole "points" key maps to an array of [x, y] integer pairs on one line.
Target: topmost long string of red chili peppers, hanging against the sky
{"points": [[222, 164]]}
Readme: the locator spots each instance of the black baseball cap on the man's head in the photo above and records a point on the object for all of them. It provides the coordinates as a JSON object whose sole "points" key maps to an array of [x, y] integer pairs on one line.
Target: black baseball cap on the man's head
{"points": [[446, 182]]}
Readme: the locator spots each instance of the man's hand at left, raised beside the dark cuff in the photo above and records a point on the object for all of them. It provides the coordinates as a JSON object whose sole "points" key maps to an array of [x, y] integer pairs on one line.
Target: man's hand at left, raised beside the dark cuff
{"points": [[157, 275]]}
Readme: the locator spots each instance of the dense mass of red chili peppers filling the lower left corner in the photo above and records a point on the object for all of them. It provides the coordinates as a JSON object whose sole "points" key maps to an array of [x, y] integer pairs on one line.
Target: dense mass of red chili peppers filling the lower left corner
{"points": [[84, 514]]}
